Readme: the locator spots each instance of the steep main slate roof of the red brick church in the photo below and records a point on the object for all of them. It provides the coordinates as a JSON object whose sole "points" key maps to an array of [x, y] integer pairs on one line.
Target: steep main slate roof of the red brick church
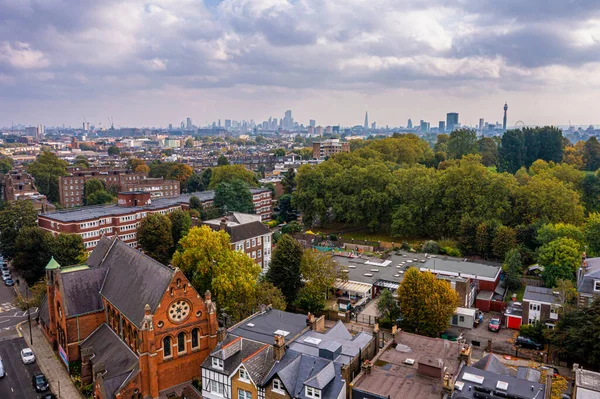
{"points": [[134, 280]]}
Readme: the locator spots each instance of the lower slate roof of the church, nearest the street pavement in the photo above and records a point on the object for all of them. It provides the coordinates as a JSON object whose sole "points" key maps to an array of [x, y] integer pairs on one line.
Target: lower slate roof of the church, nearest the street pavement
{"points": [[119, 360]]}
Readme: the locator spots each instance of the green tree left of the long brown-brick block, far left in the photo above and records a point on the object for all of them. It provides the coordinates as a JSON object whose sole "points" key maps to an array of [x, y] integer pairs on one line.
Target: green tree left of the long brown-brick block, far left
{"points": [[46, 169]]}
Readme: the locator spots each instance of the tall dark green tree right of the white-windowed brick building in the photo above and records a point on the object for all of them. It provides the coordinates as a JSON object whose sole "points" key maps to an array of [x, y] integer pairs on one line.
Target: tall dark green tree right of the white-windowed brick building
{"points": [[284, 270]]}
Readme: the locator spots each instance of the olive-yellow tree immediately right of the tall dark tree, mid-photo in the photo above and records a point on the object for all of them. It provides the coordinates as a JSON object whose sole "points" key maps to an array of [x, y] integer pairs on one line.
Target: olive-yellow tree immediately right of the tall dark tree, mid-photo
{"points": [[319, 272]]}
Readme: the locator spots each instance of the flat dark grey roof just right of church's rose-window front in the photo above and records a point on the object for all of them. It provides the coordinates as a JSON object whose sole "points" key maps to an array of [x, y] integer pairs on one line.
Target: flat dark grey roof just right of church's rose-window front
{"points": [[265, 324]]}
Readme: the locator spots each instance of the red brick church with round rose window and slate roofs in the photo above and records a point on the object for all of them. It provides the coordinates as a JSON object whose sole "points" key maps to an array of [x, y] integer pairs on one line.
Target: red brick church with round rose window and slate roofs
{"points": [[138, 327]]}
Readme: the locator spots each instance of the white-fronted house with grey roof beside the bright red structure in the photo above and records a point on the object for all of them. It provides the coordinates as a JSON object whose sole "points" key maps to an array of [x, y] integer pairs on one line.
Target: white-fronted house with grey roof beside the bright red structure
{"points": [[540, 304]]}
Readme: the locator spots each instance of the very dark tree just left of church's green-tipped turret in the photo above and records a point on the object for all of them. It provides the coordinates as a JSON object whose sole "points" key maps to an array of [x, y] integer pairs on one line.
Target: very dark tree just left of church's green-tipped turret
{"points": [[32, 253]]}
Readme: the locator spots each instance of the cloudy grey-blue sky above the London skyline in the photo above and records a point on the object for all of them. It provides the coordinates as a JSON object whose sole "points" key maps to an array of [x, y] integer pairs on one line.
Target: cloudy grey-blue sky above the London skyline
{"points": [[154, 62]]}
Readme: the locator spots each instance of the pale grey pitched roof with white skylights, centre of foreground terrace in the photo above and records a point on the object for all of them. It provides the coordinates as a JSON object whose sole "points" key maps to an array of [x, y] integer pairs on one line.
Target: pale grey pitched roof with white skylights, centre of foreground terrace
{"points": [[314, 343]]}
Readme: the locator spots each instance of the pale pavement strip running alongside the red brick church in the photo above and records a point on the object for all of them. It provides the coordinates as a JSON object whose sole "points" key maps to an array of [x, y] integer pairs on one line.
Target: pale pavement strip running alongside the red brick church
{"points": [[51, 366]]}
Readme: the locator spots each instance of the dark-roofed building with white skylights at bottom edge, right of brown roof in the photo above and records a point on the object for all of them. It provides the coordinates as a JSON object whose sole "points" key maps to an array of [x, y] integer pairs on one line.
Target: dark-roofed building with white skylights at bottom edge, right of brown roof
{"points": [[489, 378]]}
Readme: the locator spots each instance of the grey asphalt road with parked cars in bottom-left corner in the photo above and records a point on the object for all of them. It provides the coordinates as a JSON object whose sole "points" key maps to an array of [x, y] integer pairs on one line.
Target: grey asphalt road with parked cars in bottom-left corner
{"points": [[17, 382]]}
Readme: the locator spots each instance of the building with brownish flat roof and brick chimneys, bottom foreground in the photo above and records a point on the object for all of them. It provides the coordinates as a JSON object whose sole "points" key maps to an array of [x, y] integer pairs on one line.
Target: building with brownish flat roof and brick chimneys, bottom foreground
{"points": [[411, 366]]}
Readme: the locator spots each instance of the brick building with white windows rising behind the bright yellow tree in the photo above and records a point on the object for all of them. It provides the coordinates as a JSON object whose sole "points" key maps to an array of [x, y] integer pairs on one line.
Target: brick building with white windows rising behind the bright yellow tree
{"points": [[247, 234]]}
